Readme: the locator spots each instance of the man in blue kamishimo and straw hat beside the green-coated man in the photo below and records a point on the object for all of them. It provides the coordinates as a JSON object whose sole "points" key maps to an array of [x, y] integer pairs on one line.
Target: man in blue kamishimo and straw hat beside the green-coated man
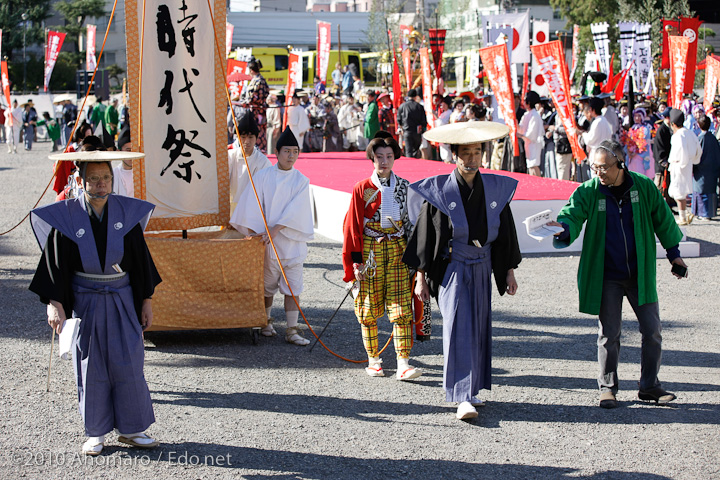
{"points": [[465, 231]]}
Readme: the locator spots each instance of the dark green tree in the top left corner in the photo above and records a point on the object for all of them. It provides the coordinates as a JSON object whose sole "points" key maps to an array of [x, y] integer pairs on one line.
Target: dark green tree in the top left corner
{"points": [[11, 23]]}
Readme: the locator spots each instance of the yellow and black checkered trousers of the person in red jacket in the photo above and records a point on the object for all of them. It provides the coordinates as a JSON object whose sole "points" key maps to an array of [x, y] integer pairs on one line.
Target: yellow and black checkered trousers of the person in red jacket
{"points": [[390, 289]]}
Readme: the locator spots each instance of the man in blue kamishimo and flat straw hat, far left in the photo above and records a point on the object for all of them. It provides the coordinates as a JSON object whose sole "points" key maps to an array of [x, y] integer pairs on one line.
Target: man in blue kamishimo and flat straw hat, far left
{"points": [[96, 265]]}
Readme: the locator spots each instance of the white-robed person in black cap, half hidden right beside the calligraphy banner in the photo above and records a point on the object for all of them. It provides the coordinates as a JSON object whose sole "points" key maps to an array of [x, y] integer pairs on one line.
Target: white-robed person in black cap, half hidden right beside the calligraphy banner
{"points": [[239, 178]]}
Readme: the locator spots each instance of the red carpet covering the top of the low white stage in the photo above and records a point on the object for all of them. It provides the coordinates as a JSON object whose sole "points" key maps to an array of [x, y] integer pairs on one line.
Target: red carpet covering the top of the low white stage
{"points": [[341, 171]]}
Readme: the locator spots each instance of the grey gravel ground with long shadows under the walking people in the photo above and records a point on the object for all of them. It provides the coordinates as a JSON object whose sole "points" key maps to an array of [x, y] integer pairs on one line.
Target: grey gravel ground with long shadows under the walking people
{"points": [[226, 408]]}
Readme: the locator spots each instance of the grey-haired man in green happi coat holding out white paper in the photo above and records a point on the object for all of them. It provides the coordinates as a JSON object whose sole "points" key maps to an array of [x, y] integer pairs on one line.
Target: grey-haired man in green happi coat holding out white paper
{"points": [[623, 212]]}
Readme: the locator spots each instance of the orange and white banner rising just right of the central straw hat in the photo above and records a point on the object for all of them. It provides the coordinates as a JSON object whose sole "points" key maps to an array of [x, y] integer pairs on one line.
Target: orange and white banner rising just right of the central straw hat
{"points": [[496, 66]]}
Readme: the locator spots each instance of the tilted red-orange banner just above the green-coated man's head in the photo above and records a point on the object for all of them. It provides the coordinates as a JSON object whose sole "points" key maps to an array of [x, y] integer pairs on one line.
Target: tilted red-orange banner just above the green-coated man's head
{"points": [[551, 61]]}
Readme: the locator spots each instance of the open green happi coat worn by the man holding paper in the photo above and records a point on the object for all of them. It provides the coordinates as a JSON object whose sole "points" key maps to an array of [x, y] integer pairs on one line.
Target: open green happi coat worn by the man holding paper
{"points": [[651, 216]]}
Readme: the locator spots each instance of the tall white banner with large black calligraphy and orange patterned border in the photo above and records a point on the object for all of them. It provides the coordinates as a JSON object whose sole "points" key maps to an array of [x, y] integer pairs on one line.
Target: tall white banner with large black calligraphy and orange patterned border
{"points": [[179, 111]]}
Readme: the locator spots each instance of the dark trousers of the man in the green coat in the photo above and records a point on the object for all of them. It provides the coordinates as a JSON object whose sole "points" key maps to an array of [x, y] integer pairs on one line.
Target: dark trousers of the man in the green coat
{"points": [[648, 316]]}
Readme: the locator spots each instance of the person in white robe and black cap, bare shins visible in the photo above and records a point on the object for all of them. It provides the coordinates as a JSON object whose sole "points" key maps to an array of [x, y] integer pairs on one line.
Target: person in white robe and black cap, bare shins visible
{"points": [[285, 198]]}
